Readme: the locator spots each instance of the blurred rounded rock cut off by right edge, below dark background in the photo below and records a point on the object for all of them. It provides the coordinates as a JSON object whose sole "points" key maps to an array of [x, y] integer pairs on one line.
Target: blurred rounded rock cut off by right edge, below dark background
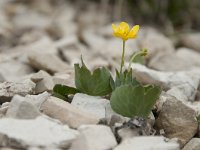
{"points": [[191, 40]]}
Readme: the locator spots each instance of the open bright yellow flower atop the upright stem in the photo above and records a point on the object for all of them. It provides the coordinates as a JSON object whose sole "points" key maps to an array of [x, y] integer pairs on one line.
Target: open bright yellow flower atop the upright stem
{"points": [[123, 31]]}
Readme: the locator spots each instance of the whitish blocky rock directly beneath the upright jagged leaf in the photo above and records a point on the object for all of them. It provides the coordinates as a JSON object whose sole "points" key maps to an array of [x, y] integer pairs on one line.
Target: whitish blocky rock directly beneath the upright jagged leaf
{"points": [[91, 104]]}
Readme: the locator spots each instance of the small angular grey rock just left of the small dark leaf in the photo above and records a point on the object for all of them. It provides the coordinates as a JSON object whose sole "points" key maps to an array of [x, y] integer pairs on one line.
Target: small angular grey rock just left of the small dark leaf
{"points": [[43, 81]]}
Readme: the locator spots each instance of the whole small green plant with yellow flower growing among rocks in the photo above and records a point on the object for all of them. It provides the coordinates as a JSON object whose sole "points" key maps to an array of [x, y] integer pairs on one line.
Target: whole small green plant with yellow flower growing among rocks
{"points": [[128, 97]]}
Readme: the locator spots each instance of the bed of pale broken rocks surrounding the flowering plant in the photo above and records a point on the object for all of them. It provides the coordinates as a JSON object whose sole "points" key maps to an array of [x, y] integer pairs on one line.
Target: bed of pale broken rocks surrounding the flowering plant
{"points": [[39, 43]]}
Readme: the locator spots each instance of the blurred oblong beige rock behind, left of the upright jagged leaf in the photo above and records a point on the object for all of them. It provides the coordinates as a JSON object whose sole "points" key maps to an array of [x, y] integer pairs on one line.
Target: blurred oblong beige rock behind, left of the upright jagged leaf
{"points": [[48, 62]]}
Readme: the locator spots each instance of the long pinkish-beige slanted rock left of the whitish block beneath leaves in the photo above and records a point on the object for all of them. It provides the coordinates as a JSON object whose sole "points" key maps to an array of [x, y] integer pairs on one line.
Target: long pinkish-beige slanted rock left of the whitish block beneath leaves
{"points": [[67, 113]]}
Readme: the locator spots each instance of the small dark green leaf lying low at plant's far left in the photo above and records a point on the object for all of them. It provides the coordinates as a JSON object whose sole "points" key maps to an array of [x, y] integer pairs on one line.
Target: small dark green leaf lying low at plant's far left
{"points": [[62, 91]]}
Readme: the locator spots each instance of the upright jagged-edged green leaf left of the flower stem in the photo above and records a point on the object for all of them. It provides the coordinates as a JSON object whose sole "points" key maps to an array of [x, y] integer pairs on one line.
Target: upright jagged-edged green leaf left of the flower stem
{"points": [[96, 83]]}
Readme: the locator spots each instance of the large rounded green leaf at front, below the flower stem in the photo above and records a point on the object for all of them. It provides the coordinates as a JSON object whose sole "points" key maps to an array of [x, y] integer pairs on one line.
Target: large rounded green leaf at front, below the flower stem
{"points": [[131, 101]]}
